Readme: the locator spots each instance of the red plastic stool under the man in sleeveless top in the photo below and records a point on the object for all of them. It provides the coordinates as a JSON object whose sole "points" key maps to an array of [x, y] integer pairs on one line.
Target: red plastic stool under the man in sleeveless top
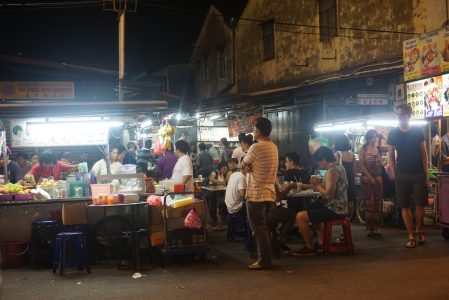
{"points": [[345, 245]]}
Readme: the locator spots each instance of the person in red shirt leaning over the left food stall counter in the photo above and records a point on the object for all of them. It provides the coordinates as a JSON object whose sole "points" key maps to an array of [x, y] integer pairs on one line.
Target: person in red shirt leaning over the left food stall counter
{"points": [[49, 166]]}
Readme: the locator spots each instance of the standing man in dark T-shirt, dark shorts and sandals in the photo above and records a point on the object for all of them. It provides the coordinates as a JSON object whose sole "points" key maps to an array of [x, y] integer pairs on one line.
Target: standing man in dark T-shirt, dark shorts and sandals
{"points": [[409, 171]]}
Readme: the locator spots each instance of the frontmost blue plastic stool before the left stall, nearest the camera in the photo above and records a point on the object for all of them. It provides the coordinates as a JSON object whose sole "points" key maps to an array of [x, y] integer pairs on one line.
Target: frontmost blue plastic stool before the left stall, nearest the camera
{"points": [[70, 250]]}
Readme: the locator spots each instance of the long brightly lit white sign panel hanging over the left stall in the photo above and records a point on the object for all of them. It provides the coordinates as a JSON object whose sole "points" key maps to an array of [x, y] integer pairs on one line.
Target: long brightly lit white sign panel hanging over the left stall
{"points": [[39, 133]]}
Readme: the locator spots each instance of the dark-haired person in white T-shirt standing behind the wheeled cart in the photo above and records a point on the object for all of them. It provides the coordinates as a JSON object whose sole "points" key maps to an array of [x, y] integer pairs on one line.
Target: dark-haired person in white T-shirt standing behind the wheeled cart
{"points": [[183, 170]]}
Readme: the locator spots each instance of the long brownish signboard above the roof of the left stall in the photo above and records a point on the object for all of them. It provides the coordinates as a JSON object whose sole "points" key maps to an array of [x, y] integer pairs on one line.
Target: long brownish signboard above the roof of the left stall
{"points": [[37, 90]]}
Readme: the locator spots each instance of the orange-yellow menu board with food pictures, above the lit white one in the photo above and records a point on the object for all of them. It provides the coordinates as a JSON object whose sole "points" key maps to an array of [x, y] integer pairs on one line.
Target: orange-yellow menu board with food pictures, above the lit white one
{"points": [[427, 55]]}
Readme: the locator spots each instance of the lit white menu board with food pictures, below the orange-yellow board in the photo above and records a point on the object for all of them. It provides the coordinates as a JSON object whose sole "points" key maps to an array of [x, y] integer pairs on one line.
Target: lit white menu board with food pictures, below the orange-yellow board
{"points": [[429, 97]]}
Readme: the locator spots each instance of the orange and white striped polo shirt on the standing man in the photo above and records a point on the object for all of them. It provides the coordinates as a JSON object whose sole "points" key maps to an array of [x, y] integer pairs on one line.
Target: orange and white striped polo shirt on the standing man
{"points": [[264, 161]]}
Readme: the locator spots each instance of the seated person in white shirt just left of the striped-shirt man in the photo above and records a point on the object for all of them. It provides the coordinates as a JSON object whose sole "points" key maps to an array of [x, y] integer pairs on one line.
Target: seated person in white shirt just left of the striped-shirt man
{"points": [[235, 193]]}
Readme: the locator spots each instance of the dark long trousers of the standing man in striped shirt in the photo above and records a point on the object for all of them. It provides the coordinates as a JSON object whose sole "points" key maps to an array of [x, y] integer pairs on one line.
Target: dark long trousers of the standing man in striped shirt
{"points": [[257, 216]]}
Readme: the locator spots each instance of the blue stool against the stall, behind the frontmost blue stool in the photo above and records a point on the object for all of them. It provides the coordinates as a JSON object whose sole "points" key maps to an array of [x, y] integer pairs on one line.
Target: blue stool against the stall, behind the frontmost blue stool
{"points": [[42, 241]]}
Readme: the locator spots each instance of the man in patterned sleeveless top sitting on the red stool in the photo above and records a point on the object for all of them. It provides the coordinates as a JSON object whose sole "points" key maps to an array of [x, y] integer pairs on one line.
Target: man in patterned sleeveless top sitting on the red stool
{"points": [[334, 205]]}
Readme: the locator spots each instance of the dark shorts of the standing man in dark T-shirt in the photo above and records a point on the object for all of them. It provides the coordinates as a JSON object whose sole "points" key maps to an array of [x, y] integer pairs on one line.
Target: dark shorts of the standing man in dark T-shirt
{"points": [[411, 186]]}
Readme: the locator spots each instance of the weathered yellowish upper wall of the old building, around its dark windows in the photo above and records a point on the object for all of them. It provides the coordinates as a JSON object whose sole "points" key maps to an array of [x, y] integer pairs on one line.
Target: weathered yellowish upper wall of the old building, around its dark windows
{"points": [[300, 53]]}
